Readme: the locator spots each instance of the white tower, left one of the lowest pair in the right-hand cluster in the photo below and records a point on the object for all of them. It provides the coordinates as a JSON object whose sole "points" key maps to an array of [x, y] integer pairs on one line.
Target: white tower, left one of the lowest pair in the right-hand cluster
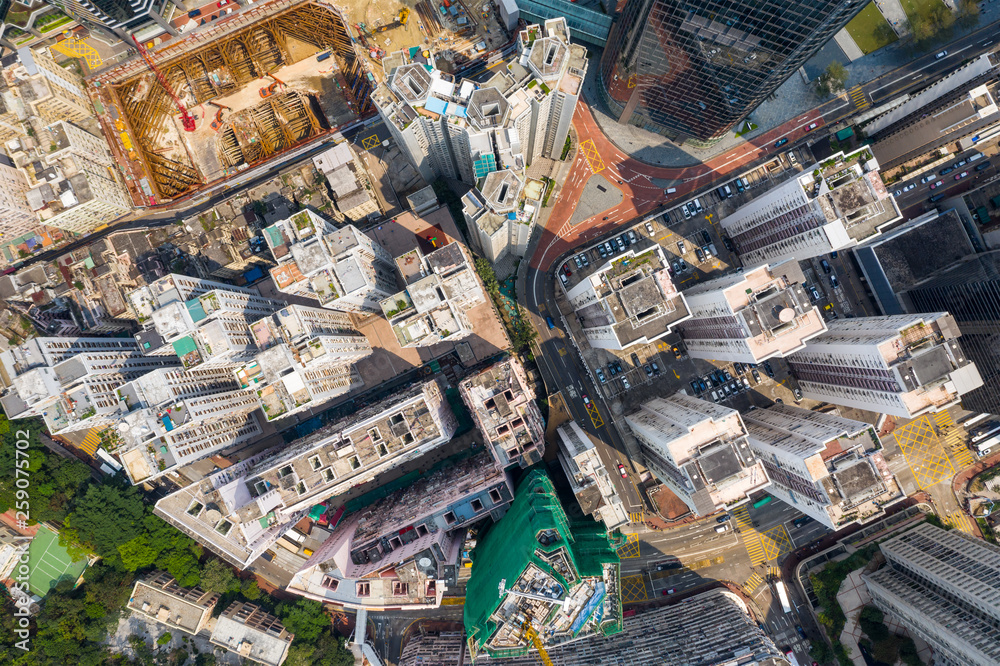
{"points": [[699, 450]]}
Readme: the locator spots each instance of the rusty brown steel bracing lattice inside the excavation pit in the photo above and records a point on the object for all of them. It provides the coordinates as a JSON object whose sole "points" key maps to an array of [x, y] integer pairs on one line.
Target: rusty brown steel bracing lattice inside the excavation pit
{"points": [[219, 63]]}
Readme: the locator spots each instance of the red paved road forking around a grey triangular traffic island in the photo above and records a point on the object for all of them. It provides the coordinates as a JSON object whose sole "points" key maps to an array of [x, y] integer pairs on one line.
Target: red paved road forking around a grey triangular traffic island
{"points": [[640, 194]]}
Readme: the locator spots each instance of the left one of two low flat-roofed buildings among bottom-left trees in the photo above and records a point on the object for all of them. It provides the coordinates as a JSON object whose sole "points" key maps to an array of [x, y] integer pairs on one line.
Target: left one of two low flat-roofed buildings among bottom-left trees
{"points": [[160, 598]]}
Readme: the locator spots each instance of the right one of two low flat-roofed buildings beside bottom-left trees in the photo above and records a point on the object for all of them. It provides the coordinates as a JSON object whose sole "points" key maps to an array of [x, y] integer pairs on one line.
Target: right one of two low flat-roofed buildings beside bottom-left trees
{"points": [[253, 634]]}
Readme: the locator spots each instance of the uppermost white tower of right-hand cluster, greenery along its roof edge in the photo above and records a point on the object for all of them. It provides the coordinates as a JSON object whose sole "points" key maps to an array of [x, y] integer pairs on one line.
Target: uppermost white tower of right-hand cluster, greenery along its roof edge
{"points": [[827, 207]]}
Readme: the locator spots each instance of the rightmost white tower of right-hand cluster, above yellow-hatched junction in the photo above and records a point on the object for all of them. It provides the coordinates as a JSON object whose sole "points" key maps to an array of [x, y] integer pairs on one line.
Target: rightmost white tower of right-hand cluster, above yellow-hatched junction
{"points": [[901, 365]]}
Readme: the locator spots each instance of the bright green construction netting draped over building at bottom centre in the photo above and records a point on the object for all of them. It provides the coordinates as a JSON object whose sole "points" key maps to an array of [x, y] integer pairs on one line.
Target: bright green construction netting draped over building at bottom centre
{"points": [[505, 551]]}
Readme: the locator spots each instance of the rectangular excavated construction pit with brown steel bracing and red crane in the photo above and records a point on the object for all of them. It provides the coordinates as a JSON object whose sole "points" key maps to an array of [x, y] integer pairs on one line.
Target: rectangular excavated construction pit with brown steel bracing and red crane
{"points": [[210, 105]]}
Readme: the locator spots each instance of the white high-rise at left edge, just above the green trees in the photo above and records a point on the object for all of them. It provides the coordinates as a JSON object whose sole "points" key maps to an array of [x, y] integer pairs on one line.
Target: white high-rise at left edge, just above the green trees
{"points": [[72, 382]]}
